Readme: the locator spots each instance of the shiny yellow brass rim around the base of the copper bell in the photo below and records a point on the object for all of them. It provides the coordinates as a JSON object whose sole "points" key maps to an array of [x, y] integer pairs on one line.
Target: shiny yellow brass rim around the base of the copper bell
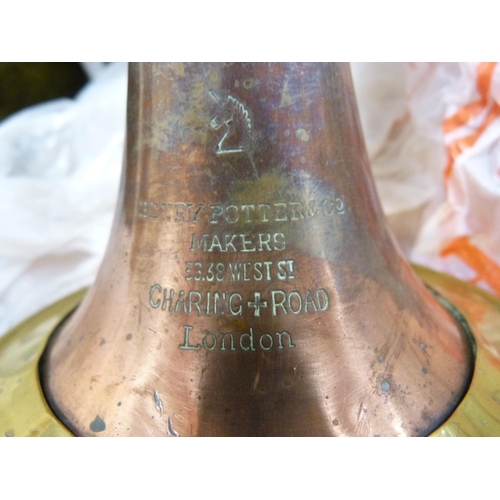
{"points": [[24, 410]]}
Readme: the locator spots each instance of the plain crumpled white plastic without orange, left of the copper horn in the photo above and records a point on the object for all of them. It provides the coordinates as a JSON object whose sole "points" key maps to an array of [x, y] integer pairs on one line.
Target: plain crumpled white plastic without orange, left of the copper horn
{"points": [[60, 166]]}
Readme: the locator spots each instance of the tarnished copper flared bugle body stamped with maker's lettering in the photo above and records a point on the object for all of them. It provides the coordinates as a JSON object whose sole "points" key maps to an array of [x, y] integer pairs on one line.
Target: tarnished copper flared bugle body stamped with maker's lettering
{"points": [[250, 286]]}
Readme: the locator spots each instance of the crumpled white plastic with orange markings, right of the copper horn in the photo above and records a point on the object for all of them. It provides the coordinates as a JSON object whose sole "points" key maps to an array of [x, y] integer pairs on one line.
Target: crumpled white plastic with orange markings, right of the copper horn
{"points": [[433, 138]]}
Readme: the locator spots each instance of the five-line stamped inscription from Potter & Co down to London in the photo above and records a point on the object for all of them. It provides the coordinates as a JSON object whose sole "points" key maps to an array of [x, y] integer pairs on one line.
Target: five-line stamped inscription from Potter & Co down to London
{"points": [[226, 259]]}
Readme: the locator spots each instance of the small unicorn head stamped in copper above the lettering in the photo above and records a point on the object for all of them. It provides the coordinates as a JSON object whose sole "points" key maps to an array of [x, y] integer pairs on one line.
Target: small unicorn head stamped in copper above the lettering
{"points": [[234, 120]]}
